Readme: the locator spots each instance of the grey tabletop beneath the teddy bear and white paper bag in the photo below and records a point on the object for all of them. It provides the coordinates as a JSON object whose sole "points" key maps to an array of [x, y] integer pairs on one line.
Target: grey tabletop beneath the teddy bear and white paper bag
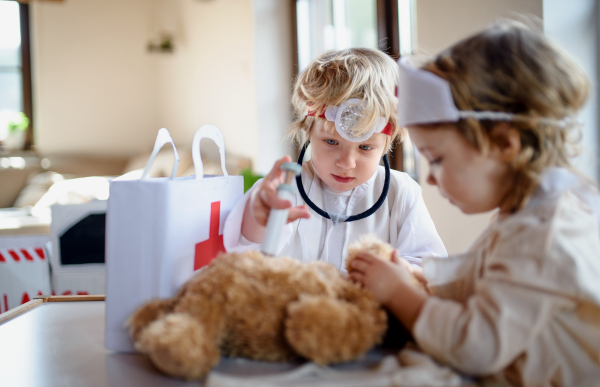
{"points": [[59, 341]]}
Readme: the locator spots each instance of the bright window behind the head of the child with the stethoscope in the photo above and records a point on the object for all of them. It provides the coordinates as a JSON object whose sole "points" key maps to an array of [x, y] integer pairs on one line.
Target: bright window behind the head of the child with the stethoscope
{"points": [[337, 24]]}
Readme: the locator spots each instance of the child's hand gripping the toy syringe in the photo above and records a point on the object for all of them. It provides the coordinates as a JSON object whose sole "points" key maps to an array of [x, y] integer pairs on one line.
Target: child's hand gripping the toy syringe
{"points": [[265, 197]]}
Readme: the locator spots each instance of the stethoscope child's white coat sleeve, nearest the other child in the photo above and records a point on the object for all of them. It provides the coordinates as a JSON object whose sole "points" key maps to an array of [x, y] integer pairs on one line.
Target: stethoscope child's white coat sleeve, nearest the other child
{"points": [[417, 236]]}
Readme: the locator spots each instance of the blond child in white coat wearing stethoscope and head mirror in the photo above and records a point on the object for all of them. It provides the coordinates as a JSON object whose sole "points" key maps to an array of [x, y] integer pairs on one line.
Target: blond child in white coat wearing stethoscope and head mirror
{"points": [[346, 110]]}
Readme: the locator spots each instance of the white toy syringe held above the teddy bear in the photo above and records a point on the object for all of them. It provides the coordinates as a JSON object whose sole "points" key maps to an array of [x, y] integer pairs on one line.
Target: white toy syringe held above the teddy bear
{"points": [[278, 218]]}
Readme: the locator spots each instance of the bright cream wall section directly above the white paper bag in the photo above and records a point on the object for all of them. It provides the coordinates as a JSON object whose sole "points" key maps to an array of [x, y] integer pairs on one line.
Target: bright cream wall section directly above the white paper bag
{"points": [[210, 78]]}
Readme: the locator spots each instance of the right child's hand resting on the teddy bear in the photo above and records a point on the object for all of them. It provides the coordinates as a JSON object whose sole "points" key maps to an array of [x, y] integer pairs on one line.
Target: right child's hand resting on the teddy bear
{"points": [[383, 278]]}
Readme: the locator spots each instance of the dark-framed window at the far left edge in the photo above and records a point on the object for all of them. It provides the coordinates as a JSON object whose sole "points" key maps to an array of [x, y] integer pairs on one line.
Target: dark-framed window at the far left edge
{"points": [[15, 66]]}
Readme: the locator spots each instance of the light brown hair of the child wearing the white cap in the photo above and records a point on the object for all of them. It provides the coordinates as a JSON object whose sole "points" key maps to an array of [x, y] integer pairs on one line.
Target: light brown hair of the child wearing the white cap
{"points": [[511, 68]]}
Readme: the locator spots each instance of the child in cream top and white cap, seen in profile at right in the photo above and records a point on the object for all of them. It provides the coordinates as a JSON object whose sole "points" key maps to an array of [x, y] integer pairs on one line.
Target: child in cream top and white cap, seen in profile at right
{"points": [[493, 116]]}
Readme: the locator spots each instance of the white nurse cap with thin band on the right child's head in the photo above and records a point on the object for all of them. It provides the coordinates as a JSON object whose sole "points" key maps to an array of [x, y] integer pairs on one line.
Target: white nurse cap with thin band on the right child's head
{"points": [[425, 98]]}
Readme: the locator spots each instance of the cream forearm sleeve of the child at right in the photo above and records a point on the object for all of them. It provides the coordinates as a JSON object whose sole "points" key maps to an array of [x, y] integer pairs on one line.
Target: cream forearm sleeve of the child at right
{"points": [[487, 333]]}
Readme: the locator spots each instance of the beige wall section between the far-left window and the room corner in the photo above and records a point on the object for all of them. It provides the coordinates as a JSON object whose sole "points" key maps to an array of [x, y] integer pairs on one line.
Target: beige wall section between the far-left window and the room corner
{"points": [[94, 83]]}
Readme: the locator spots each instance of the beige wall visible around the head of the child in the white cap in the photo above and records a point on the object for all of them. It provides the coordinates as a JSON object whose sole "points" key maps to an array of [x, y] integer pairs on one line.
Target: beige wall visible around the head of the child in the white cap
{"points": [[440, 24]]}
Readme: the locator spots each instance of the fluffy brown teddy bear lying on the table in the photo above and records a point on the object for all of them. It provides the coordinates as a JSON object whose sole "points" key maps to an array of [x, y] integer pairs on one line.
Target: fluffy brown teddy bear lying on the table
{"points": [[246, 304]]}
